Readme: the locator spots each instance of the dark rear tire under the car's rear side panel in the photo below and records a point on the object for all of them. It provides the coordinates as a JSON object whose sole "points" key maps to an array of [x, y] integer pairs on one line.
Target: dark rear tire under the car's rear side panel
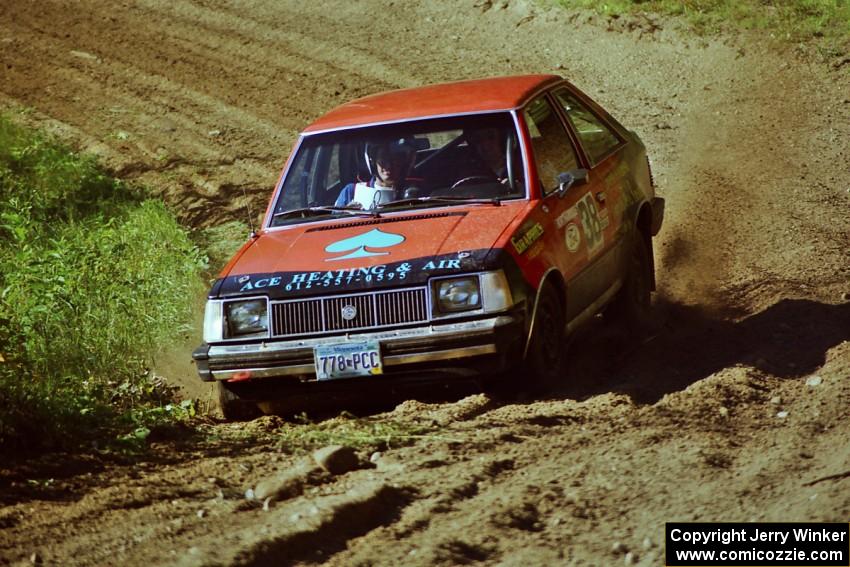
{"points": [[632, 306]]}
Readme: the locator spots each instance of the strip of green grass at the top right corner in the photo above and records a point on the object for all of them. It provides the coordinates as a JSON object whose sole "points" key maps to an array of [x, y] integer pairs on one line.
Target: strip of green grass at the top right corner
{"points": [[823, 21]]}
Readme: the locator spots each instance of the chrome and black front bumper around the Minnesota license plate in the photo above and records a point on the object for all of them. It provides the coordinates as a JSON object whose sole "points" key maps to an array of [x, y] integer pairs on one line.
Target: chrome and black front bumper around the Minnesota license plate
{"points": [[432, 347]]}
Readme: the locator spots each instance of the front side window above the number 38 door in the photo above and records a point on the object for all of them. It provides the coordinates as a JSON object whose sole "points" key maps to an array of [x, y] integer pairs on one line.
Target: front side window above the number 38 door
{"points": [[553, 150]]}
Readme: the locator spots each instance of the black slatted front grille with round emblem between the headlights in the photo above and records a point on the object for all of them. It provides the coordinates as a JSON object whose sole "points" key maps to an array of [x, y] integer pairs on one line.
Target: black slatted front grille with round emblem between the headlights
{"points": [[364, 310]]}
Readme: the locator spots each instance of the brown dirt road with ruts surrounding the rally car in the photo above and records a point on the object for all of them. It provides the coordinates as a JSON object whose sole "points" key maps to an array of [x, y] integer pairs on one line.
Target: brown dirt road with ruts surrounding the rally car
{"points": [[737, 410]]}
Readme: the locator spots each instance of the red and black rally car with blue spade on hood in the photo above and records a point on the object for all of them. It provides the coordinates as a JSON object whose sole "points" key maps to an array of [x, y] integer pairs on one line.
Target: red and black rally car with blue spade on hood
{"points": [[433, 233]]}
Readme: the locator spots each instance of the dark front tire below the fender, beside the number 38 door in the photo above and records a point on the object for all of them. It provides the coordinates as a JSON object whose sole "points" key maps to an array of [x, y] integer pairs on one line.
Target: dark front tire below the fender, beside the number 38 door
{"points": [[546, 352]]}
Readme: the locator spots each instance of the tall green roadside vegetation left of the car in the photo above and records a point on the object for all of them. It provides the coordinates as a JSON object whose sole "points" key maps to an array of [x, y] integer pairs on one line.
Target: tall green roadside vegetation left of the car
{"points": [[94, 277]]}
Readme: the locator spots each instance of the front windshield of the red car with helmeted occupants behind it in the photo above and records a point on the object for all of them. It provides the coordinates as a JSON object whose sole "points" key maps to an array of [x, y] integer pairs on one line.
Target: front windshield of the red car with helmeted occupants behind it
{"points": [[426, 163]]}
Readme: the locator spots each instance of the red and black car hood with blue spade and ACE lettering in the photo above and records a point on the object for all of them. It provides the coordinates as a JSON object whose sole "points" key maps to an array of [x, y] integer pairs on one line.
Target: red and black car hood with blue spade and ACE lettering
{"points": [[362, 254]]}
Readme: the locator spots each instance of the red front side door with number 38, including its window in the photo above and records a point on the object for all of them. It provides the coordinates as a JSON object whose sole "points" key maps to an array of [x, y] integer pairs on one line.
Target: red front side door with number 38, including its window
{"points": [[572, 219]]}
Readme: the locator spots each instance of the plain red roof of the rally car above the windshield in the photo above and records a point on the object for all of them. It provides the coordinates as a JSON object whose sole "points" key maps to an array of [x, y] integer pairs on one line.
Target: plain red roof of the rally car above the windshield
{"points": [[461, 97]]}
